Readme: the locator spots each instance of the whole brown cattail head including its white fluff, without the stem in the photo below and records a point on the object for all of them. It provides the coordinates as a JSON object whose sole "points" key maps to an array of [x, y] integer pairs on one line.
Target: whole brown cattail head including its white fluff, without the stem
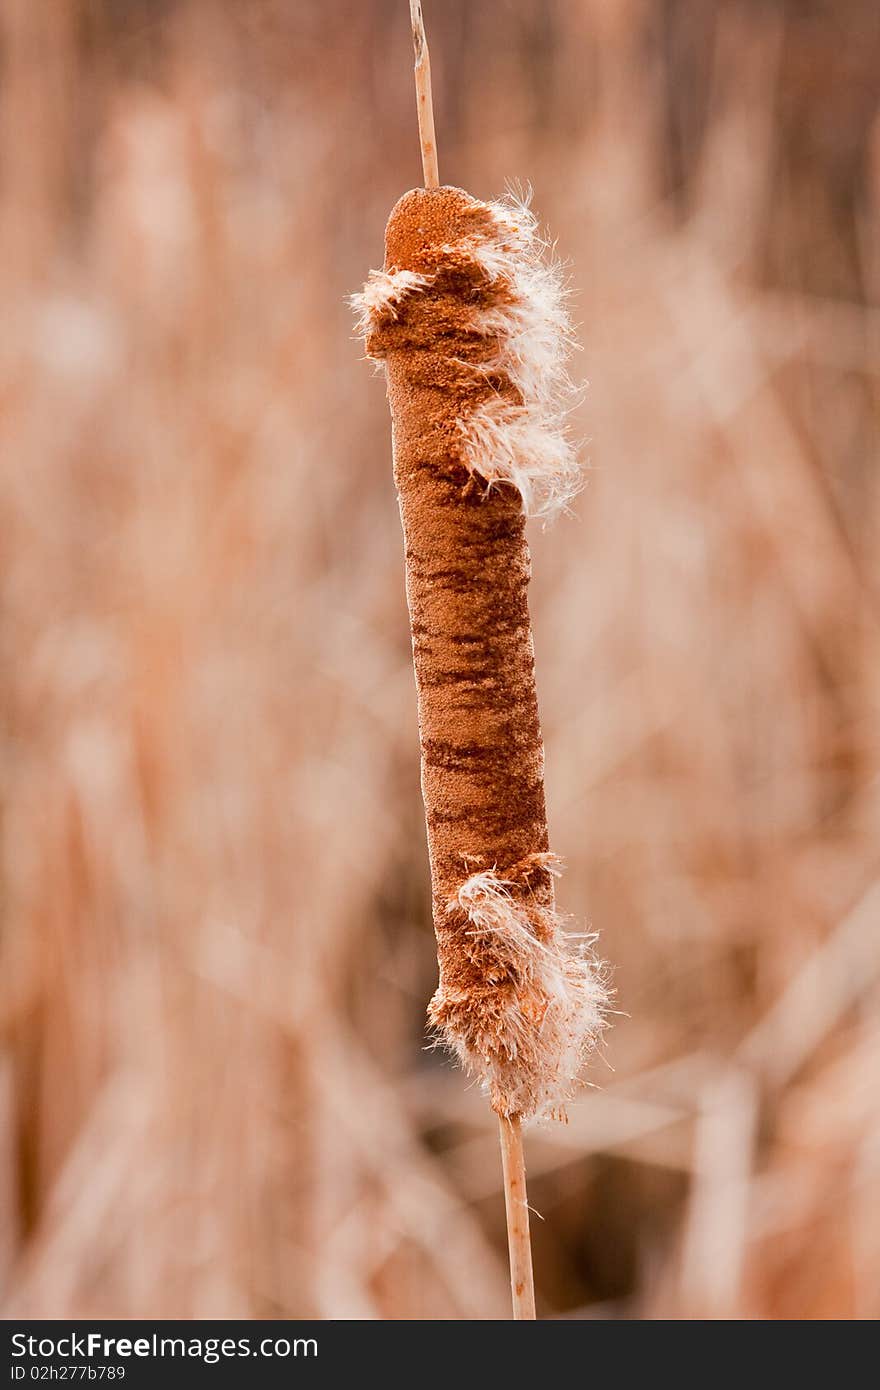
{"points": [[471, 322]]}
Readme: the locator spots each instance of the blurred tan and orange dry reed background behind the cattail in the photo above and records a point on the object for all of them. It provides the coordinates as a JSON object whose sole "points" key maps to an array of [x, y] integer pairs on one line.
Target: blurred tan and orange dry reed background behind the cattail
{"points": [[215, 1090]]}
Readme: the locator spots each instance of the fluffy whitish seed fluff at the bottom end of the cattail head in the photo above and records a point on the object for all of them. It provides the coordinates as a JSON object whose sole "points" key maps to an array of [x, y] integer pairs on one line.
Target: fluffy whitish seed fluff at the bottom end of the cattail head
{"points": [[530, 1054]]}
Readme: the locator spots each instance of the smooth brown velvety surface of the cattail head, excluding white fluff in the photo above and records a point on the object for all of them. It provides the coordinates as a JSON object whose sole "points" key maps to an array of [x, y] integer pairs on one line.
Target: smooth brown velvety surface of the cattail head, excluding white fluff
{"points": [[468, 572]]}
